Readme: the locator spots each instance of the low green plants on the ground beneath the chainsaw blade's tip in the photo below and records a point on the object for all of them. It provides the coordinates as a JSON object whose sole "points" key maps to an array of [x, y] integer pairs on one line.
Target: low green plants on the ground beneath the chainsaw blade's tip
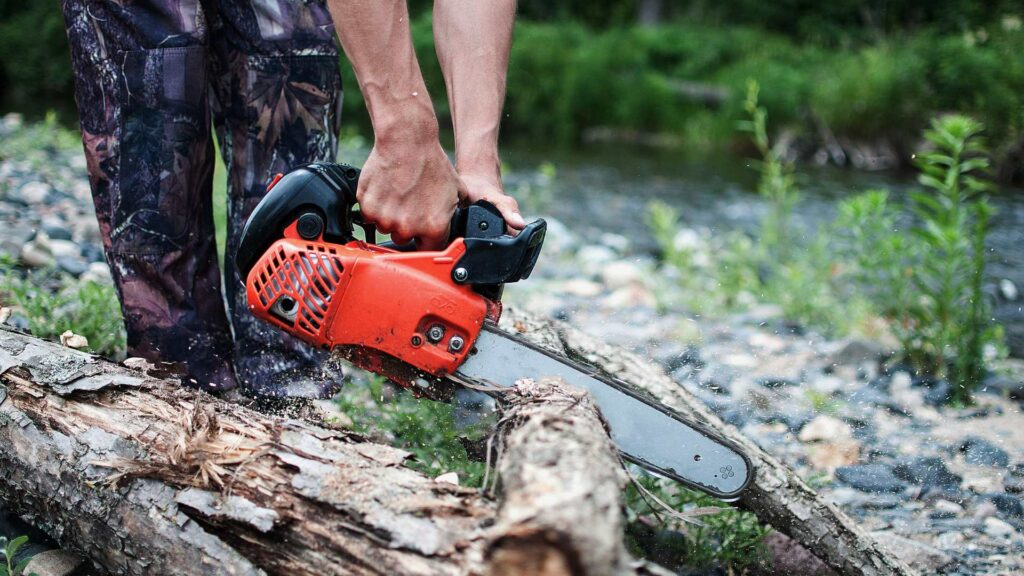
{"points": [[730, 540]]}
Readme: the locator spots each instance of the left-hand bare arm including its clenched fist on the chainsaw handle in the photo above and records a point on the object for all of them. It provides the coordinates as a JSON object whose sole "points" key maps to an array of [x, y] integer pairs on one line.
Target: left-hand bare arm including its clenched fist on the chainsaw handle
{"points": [[408, 186]]}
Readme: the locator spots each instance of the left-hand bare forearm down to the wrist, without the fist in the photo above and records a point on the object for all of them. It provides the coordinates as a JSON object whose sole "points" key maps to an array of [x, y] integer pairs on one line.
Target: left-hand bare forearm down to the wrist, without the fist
{"points": [[376, 38]]}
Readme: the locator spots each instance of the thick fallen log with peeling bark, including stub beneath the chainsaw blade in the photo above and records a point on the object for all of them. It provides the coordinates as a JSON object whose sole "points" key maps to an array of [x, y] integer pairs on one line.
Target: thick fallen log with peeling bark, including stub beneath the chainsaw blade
{"points": [[145, 477]]}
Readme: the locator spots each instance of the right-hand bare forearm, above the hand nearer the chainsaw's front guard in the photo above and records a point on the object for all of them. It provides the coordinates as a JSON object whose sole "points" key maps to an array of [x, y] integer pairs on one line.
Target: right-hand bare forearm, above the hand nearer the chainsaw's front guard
{"points": [[474, 39]]}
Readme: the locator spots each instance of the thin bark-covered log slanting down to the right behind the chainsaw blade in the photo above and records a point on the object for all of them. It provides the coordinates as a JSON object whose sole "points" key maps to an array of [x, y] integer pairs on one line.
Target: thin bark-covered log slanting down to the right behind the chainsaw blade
{"points": [[777, 496]]}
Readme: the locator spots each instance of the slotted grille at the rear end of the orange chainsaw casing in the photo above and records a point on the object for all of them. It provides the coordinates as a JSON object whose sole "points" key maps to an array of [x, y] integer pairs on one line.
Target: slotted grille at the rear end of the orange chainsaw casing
{"points": [[305, 280]]}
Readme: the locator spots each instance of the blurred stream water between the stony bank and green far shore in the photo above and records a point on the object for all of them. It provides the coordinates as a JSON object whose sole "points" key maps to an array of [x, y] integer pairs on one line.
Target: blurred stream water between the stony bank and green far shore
{"points": [[607, 189]]}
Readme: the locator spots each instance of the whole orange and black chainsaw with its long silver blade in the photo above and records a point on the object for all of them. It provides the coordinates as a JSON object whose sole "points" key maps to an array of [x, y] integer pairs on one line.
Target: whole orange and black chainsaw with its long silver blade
{"points": [[429, 320]]}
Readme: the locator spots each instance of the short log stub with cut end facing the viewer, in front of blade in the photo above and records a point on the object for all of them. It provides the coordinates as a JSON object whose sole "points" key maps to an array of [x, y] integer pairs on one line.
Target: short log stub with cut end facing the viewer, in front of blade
{"points": [[562, 510]]}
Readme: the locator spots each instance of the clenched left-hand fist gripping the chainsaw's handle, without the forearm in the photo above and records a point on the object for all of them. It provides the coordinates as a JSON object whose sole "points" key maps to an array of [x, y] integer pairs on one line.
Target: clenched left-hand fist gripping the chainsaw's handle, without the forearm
{"points": [[410, 191]]}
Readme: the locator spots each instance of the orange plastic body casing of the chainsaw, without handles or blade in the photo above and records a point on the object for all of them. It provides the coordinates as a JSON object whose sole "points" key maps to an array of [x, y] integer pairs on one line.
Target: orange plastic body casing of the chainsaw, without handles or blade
{"points": [[376, 303]]}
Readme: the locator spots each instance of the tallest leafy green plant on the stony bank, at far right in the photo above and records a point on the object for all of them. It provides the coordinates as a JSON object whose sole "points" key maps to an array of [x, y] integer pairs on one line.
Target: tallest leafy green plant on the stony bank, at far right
{"points": [[951, 320]]}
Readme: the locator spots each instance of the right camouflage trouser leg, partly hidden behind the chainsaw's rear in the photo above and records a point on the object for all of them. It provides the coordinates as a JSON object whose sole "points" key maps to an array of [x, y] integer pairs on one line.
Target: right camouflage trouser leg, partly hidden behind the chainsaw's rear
{"points": [[276, 98]]}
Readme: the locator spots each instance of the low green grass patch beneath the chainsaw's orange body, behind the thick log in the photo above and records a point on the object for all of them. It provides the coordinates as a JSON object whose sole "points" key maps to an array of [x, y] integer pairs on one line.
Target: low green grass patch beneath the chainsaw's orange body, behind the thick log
{"points": [[425, 428]]}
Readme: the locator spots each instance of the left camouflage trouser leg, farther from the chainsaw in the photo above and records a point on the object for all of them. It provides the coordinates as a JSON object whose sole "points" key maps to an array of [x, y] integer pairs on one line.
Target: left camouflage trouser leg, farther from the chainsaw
{"points": [[141, 74]]}
